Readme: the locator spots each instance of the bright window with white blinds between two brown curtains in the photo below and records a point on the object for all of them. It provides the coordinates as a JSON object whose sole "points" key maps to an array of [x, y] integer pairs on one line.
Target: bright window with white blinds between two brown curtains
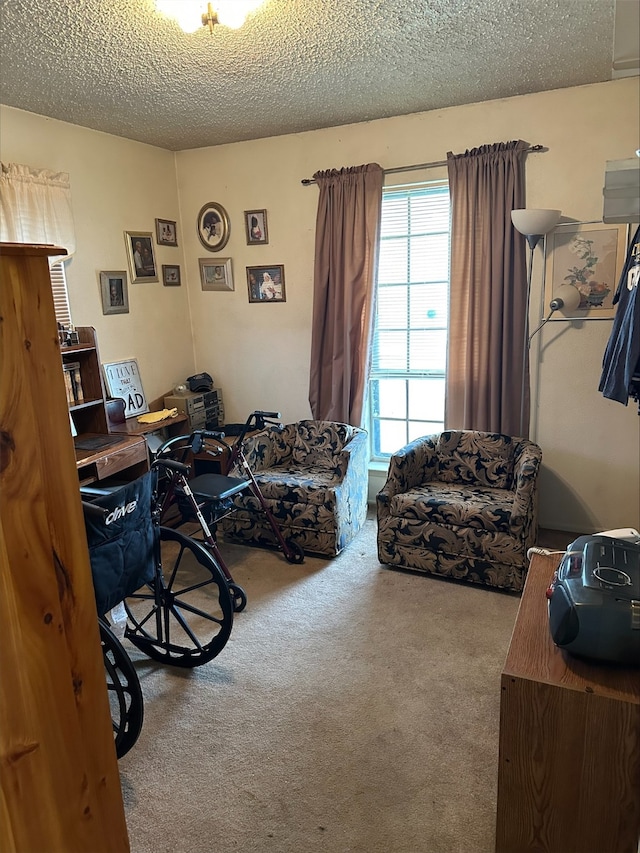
{"points": [[407, 379]]}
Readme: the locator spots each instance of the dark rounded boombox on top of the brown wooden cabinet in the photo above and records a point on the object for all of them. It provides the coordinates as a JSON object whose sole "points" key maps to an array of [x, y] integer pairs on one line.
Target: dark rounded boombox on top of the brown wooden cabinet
{"points": [[594, 600]]}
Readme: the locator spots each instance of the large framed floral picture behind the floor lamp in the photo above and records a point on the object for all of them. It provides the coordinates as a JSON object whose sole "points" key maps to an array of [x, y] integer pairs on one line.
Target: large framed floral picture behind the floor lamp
{"points": [[590, 256]]}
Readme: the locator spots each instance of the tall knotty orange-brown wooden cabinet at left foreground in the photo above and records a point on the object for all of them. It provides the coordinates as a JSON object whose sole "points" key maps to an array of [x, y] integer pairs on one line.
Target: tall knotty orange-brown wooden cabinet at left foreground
{"points": [[58, 768]]}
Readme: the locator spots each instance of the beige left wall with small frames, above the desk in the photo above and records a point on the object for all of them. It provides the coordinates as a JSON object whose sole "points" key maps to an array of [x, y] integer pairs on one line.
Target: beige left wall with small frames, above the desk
{"points": [[116, 185]]}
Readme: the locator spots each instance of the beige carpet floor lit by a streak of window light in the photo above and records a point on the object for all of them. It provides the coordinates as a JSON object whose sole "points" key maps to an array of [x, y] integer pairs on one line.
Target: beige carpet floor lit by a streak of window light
{"points": [[355, 709]]}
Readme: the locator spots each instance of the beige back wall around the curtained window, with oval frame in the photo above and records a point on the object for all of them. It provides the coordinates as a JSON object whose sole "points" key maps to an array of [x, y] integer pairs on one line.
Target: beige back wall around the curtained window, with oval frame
{"points": [[260, 353]]}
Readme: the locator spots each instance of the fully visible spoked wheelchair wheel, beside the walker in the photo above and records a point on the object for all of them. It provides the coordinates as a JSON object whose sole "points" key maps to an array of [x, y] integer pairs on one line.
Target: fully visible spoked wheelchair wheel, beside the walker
{"points": [[185, 615]]}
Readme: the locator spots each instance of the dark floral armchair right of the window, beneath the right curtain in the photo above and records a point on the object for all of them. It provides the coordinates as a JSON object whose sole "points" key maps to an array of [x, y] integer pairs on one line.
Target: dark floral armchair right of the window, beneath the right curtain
{"points": [[461, 504]]}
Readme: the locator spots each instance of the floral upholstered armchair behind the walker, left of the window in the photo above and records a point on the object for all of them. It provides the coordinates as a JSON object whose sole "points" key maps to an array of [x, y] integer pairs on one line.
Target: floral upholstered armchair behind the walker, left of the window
{"points": [[313, 476]]}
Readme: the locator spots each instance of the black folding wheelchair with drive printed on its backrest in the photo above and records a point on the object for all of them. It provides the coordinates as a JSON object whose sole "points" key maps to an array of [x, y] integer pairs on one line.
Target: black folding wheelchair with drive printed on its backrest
{"points": [[176, 597]]}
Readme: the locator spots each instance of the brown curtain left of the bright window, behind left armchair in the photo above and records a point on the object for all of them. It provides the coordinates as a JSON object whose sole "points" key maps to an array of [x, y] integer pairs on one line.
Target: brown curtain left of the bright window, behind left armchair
{"points": [[347, 228]]}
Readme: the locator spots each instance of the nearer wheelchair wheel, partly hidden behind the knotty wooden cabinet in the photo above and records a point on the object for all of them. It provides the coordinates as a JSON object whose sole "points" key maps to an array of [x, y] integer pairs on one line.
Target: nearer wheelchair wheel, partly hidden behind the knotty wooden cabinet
{"points": [[123, 687]]}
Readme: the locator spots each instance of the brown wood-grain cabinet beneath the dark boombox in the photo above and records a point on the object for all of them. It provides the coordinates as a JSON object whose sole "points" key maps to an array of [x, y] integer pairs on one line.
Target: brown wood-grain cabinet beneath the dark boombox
{"points": [[569, 763]]}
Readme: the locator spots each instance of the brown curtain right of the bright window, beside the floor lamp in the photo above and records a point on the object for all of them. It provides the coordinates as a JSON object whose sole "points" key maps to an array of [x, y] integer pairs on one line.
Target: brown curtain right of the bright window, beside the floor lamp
{"points": [[488, 297]]}
